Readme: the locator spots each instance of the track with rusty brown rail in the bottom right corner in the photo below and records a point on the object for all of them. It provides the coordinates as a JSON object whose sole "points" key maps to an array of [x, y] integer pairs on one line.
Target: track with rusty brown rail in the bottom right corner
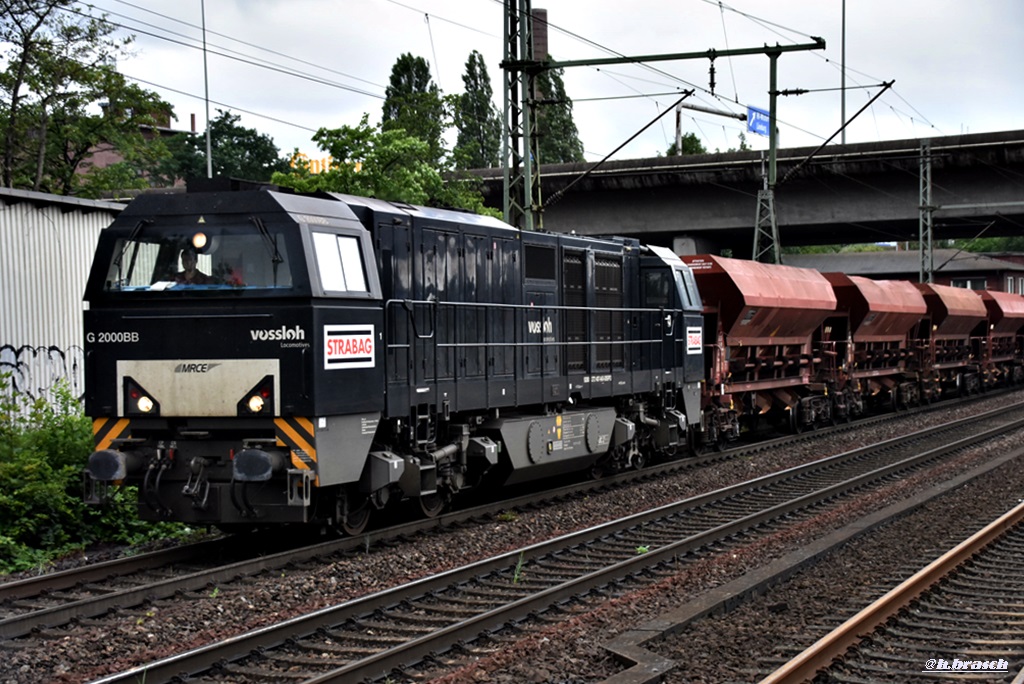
{"points": [[959, 618]]}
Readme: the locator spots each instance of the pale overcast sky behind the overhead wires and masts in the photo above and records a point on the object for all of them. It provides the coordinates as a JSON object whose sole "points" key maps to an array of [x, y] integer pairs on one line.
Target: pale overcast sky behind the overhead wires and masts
{"points": [[290, 67]]}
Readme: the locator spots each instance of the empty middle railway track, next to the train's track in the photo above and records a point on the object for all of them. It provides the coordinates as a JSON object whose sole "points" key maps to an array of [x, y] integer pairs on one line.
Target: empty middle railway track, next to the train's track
{"points": [[376, 635]]}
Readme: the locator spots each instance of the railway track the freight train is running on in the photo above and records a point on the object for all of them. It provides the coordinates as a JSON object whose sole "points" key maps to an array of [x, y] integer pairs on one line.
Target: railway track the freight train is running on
{"points": [[55, 600]]}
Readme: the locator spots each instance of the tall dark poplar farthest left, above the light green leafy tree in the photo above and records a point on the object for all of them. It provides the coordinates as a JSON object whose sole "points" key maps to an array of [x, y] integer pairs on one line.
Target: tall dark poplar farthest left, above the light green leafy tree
{"points": [[413, 103]]}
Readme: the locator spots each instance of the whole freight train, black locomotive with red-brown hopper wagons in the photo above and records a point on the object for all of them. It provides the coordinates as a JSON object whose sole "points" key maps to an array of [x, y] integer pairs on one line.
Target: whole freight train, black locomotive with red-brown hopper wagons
{"points": [[258, 357]]}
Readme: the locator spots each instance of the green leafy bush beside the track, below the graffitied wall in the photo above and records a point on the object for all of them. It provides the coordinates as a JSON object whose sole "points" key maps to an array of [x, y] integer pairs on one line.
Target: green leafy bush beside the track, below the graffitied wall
{"points": [[45, 446]]}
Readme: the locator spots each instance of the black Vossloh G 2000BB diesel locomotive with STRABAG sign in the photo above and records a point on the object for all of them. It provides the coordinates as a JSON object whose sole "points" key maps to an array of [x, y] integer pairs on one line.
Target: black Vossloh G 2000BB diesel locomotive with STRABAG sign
{"points": [[260, 357]]}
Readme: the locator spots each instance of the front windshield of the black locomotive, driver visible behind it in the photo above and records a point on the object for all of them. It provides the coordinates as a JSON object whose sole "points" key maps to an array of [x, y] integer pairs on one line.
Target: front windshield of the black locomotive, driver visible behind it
{"points": [[216, 258]]}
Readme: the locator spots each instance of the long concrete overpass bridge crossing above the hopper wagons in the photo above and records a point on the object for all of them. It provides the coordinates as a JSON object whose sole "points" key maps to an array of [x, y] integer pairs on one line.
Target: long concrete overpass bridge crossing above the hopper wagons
{"points": [[860, 193]]}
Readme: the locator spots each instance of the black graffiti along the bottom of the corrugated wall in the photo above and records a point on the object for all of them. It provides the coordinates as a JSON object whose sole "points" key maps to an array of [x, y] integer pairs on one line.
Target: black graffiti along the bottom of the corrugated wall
{"points": [[35, 372]]}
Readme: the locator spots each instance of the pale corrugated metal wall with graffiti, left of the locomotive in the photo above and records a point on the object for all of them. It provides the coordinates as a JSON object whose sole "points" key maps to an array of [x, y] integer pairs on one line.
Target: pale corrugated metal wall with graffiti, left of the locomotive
{"points": [[47, 245]]}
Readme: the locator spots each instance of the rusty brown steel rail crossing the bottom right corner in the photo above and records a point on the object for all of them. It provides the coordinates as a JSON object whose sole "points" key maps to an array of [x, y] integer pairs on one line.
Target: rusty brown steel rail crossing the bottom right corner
{"points": [[830, 648]]}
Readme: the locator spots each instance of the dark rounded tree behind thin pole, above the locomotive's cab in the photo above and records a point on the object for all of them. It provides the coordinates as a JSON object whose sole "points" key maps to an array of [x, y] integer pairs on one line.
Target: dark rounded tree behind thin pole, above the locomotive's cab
{"points": [[237, 152]]}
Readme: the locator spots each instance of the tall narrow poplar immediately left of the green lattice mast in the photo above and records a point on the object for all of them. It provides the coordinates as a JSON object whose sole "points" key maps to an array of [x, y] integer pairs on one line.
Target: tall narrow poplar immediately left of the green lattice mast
{"points": [[477, 119]]}
